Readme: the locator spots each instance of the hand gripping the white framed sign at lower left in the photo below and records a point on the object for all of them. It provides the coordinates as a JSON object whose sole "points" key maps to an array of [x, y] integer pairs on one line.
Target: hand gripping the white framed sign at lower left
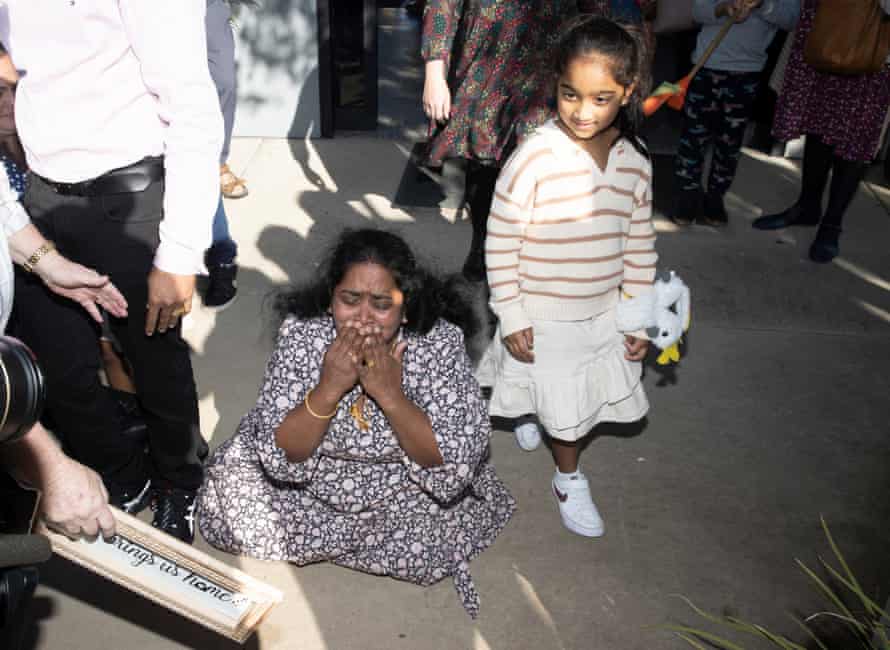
{"points": [[74, 501]]}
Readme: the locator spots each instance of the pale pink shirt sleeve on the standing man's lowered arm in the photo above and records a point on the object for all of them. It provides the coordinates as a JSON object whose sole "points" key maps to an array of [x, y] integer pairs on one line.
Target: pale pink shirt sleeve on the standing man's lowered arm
{"points": [[169, 38]]}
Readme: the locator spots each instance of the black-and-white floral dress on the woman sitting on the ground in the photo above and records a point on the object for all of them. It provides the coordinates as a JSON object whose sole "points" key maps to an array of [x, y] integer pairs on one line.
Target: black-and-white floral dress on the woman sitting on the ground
{"points": [[359, 501]]}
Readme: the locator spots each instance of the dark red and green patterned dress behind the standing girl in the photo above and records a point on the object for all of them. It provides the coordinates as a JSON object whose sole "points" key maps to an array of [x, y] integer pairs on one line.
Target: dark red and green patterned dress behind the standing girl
{"points": [[499, 74]]}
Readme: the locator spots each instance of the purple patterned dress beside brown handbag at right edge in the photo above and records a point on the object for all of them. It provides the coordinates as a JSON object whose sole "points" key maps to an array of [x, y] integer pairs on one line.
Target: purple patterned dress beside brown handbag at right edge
{"points": [[846, 111]]}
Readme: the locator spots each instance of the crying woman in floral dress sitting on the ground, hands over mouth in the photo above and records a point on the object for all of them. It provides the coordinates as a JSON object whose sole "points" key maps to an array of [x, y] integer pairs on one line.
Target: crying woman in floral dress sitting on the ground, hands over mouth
{"points": [[368, 445]]}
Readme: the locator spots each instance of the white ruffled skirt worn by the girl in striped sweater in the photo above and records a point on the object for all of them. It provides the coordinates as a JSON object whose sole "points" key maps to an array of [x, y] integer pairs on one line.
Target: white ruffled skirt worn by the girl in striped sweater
{"points": [[579, 377]]}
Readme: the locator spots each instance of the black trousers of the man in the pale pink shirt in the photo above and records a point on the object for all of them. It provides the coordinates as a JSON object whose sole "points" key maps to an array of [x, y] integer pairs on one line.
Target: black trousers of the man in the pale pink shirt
{"points": [[116, 234]]}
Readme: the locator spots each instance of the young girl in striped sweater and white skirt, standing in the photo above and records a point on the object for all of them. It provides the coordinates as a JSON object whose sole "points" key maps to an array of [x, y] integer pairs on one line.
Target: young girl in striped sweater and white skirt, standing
{"points": [[570, 229]]}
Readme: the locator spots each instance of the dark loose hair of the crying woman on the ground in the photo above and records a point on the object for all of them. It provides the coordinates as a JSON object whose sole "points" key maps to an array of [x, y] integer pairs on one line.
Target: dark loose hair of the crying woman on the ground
{"points": [[426, 297]]}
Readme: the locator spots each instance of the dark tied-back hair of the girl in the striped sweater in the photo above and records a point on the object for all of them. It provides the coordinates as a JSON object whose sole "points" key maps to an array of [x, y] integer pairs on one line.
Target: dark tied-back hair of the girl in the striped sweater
{"points": [[624, 47]]}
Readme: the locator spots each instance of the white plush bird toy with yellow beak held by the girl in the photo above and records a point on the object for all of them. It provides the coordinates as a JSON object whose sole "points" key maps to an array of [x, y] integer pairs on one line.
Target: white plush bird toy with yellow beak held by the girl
{"points": [[664, 313]]}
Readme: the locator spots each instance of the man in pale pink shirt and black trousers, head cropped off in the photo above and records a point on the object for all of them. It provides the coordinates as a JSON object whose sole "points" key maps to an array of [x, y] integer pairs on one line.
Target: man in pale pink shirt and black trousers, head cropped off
{"points": [[122, 131]]}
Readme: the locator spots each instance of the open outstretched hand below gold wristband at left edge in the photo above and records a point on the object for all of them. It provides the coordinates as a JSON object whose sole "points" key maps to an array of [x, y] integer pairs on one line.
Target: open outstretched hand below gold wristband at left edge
{"points": [[82, 285]]}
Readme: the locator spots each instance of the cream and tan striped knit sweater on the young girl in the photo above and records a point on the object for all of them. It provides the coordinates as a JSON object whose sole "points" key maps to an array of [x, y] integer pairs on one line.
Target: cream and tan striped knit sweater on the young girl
{"points": [[564, 237]]}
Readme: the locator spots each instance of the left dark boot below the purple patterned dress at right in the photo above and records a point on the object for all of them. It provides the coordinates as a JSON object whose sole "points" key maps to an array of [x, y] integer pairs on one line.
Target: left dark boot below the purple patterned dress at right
{"points": [[807, 211]]}
